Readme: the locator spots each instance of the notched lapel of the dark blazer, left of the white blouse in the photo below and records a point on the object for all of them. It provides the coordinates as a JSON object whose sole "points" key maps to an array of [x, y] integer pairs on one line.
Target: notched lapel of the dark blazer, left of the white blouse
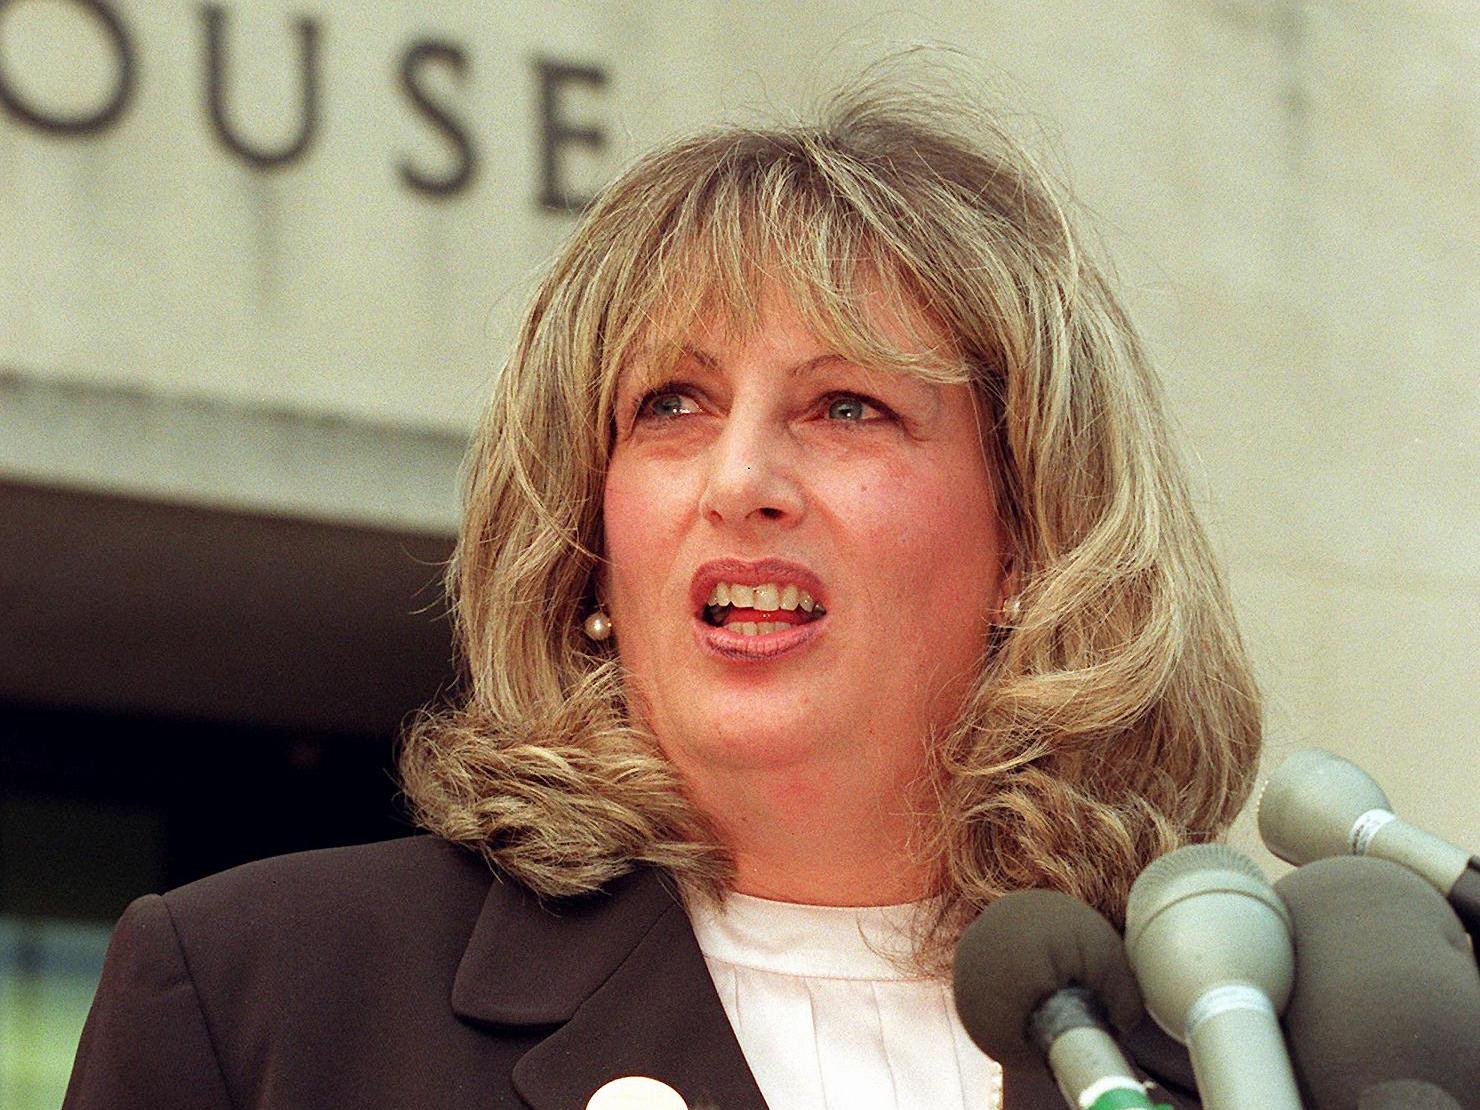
{"points": [[622, 979]]}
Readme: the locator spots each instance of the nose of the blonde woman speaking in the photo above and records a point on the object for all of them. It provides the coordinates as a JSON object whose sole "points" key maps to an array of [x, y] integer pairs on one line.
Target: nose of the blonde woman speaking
{"points": [[751, 477]]}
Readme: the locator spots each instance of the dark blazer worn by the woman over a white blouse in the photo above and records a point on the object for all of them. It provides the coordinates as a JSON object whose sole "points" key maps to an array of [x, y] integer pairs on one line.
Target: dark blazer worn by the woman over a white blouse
{"points": [[408, 975]]}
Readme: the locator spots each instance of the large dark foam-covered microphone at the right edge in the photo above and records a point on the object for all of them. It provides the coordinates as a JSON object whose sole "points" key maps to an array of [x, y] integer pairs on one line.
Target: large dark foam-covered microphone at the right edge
{"points": [[1386, 988]]}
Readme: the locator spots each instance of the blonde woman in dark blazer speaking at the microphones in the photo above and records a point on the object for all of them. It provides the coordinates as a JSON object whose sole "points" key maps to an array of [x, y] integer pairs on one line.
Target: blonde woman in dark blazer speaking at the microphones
{"points": [[825, 575]]}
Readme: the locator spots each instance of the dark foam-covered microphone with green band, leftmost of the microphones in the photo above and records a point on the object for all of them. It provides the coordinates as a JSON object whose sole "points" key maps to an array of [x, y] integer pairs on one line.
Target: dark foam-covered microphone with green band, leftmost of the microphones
{"points": [[1041, 976]]}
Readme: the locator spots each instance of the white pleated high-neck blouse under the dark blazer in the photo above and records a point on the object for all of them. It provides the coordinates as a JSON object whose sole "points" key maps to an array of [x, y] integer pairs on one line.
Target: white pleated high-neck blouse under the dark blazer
{"points": [[828, 1020]]}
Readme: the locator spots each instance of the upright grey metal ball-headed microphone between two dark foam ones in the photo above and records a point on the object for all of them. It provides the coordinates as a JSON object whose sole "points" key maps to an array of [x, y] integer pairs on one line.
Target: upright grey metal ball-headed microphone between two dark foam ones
{"points": [[1210, 942]]}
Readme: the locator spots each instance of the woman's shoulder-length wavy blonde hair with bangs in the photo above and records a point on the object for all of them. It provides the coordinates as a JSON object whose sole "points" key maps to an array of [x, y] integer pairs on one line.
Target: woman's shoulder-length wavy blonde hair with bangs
{"points": [[1114, 721]]}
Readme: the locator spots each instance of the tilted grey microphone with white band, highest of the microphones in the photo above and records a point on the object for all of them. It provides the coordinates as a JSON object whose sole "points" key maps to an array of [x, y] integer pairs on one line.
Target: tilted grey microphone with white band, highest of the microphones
{"points": [[1316, 804]]}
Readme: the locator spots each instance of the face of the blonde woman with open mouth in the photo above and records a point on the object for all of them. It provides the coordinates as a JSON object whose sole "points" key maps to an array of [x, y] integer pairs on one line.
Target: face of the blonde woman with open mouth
{"points": [[769, 473]]}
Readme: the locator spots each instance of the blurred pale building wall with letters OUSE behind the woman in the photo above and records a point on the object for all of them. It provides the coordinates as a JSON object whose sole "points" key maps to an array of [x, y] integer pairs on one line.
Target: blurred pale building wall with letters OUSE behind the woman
{"points": [[260, 258]]}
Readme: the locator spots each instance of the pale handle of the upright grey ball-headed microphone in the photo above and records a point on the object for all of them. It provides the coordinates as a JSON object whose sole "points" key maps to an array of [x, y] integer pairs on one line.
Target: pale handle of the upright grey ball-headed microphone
{"points": [[1239, 1056]]}
